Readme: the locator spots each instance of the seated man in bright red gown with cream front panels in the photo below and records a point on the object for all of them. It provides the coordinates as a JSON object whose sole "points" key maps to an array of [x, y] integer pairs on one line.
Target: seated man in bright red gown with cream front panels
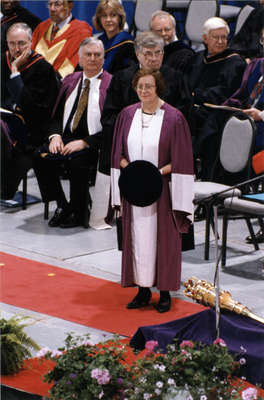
{"points": [[59, 37]]}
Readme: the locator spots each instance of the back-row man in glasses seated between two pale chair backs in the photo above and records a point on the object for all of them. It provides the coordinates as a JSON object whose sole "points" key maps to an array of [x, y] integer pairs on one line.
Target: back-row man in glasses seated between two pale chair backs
{"points": [[176, 53]]}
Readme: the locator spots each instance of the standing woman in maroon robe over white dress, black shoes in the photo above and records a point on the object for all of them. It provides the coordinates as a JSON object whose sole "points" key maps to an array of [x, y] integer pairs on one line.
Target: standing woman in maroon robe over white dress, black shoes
{"points": [[153, 131]]}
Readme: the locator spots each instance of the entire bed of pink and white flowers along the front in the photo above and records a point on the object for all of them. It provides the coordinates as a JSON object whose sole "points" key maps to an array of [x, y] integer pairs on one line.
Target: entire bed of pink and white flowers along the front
{"points": [[188, 371]]}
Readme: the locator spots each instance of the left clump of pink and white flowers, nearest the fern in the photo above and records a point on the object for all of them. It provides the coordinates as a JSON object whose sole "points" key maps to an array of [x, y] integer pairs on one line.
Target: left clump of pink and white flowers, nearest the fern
{"points": [[85, 371]]}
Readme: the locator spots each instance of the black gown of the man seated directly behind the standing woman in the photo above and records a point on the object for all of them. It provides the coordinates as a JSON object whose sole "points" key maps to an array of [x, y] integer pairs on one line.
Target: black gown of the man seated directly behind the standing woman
{"points": [[121, 94]]}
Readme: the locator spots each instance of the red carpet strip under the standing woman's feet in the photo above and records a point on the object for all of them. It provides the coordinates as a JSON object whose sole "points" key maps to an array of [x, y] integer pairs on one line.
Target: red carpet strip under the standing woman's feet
{"points": [[79, 298]]}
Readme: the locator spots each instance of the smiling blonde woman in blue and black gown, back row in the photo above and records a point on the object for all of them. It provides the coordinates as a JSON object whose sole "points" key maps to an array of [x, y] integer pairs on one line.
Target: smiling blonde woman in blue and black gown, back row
{"points": [[110, 18]]}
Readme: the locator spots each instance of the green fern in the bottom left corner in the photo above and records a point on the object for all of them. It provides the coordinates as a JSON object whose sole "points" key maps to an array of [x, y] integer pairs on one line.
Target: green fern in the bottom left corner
{"points": [[15, 344]]}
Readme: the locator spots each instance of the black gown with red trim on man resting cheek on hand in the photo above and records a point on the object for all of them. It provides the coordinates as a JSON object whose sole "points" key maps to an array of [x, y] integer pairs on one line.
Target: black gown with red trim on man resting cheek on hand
{"points": [[33, 92]]}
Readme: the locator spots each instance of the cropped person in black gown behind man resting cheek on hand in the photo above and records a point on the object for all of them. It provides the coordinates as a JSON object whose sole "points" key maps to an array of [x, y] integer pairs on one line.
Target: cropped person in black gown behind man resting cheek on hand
{"points": [[13, 12]]}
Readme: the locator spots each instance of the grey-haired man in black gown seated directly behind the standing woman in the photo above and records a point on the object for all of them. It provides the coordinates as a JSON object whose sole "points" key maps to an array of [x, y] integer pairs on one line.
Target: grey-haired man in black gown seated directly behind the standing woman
{"points": [[149, 52]]}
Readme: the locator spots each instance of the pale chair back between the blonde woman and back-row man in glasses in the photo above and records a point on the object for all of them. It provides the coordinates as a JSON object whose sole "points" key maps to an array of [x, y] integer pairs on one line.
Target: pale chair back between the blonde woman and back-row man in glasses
{"points": [[143, 13]]}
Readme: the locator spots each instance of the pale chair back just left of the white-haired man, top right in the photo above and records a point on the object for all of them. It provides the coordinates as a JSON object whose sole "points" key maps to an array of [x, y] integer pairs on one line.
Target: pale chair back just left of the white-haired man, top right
{"points": [[198, 12]]}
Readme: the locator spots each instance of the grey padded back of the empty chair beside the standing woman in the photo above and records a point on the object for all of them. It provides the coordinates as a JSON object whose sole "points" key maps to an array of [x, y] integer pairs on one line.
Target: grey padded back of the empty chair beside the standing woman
{"points": [[237, 144]]}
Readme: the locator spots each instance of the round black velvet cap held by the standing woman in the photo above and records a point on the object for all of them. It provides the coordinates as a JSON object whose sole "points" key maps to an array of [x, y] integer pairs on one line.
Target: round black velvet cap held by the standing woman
{"points": [[140, 183]]}
